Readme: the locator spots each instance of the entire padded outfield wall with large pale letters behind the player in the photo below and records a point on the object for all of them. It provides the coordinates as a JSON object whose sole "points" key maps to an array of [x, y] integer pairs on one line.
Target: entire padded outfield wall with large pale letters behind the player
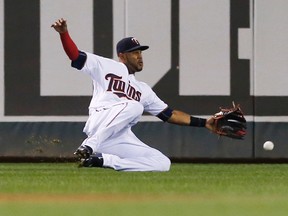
{"points": [[203, 54]]}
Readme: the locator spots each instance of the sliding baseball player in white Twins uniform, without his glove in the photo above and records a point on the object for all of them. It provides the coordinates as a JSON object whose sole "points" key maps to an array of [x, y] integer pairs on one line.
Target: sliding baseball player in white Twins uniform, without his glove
{"points": [[118, 102]]}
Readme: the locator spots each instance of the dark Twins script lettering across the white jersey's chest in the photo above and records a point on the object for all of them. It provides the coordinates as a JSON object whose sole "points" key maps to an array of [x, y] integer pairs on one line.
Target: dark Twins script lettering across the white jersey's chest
{"points": [[118, 86]]}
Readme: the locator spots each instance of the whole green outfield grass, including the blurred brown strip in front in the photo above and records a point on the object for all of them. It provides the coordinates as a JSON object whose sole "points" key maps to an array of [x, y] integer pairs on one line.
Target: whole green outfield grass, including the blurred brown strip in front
{"points": [[188, 189]]}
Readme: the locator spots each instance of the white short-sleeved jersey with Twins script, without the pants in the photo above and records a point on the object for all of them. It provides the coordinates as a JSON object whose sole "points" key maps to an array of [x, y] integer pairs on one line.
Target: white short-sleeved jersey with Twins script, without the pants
{"points": [[112, 84]]}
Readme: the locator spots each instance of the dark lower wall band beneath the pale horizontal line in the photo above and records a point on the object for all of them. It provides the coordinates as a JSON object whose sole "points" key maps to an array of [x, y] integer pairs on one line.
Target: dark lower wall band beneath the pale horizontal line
{"points": [[56, 139]]}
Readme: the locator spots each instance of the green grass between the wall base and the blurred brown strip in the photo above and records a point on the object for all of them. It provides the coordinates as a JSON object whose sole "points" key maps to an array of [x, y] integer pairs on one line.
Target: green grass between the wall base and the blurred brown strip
{"points": [[189, 179]]}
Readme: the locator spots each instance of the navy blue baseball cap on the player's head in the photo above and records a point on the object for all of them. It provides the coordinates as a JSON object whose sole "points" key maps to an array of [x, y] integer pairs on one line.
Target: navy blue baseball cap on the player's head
{"points": [[129, 44]]}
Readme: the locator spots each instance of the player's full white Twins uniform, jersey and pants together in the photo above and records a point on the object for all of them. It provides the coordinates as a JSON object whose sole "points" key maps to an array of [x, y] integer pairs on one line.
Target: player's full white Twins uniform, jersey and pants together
{"points": [[117, 104]]}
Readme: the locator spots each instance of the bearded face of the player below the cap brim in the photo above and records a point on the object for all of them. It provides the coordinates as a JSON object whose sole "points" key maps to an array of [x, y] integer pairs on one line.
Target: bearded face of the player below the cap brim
{"points": [[133, 60]]}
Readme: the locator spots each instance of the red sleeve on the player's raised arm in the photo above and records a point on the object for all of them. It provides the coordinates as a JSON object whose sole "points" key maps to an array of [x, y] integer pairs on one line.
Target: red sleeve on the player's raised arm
{"points": [[69, 46]]}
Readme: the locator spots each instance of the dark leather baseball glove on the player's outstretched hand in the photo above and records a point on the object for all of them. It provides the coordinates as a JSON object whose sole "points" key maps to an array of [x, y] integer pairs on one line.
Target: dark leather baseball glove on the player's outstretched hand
{"points": [[230, 122]]}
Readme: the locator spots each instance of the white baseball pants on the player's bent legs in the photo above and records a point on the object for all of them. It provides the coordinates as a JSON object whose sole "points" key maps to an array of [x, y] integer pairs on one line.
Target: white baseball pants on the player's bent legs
{"points": [[109, 133]]}
